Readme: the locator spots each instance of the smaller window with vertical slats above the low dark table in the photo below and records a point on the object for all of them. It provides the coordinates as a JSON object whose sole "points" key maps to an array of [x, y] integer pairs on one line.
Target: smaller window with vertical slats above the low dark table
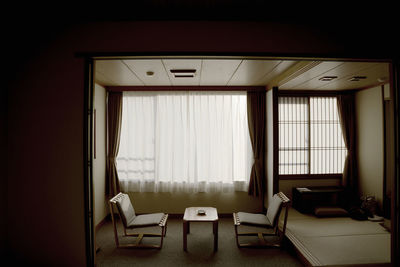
{"points": [[310, 136]]}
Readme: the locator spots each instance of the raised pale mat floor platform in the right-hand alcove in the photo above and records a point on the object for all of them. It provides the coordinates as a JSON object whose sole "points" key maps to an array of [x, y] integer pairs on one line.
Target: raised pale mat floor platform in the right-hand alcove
{"points": [[337, 241]]}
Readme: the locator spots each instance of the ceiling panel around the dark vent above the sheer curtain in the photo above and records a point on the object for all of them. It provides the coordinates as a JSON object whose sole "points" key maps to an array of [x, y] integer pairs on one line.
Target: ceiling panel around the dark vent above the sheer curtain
{"points": [[183, 64]]}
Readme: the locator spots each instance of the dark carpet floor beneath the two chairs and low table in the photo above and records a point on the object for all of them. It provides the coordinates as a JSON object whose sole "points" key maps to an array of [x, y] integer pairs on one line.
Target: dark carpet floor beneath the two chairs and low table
{"points": [[200, 248]]}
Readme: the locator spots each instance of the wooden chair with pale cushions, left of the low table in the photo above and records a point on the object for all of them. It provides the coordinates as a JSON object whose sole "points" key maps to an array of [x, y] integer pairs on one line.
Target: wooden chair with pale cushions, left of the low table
{"points": [[130, 221]]}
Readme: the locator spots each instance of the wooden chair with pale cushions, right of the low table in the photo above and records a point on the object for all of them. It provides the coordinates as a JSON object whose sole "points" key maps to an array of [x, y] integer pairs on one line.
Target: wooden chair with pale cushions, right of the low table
{"points": [[269, 221]]}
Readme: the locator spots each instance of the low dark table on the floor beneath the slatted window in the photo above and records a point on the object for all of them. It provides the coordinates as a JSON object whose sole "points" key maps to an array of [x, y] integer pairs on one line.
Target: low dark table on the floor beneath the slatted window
{"points": [[306, 199]]}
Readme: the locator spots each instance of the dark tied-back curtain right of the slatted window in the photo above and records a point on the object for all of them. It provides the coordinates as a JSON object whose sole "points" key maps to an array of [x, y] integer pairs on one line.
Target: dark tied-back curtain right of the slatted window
{"points": [[346, 110]]}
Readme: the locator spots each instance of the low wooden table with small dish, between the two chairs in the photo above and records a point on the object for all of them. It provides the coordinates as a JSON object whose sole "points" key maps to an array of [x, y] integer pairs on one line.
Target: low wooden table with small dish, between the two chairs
{"points": [[191, 215]]}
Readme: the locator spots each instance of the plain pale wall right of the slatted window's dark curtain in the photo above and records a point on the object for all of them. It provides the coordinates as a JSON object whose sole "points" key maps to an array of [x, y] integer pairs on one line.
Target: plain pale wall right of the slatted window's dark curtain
{"points": [[369, 111]]}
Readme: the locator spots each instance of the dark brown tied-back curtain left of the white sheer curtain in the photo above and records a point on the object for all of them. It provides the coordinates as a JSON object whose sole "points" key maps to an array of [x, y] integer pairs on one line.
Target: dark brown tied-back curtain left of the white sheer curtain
{"points": [[114, 118]]}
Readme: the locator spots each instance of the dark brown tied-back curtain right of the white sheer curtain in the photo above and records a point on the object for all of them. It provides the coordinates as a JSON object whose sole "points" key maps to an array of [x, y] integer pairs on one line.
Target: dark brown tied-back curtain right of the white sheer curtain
{"points": [[256, 120]]}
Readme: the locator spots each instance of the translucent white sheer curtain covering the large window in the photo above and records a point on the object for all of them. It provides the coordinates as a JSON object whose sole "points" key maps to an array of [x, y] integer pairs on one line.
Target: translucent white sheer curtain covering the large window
{"points": [[184, 141]]}
